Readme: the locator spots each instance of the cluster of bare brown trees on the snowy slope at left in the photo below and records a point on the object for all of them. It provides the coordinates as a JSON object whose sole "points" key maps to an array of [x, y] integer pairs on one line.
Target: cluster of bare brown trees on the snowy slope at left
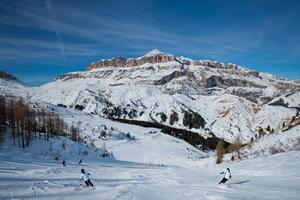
{"points": [[25, 121]]}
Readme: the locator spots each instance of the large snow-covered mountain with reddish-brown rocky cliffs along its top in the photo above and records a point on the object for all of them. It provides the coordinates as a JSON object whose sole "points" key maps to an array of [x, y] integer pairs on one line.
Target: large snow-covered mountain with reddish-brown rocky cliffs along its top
{"points": [[206, 97]]}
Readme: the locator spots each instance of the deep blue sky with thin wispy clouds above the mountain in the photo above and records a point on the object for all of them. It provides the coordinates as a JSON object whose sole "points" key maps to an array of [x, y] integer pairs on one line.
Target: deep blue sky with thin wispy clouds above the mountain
{"points": [[40, 40]]}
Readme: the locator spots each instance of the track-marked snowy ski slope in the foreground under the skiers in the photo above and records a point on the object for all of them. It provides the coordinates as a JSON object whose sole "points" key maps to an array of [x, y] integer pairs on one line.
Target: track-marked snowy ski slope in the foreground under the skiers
{"points": [[275, 177]]}
